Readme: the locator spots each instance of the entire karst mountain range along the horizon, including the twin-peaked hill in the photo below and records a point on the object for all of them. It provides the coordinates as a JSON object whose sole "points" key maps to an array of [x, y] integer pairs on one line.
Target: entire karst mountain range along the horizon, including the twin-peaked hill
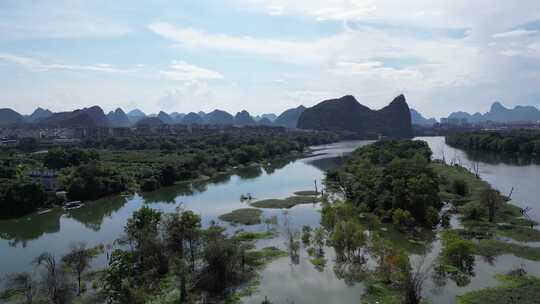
{"points": [[343, 113]]}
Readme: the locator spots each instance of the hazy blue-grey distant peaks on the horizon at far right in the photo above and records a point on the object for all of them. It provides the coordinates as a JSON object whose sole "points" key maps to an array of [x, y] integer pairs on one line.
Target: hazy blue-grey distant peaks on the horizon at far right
{"points": [[499, 113]]}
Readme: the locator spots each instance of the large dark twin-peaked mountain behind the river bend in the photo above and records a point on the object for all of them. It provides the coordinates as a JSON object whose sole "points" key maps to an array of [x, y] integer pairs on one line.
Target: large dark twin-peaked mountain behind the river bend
{"points": [[347, 114]]}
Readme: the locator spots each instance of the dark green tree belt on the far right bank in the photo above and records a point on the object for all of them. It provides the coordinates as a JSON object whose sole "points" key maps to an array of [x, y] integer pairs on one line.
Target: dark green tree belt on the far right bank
{"points": [[519, 141]]}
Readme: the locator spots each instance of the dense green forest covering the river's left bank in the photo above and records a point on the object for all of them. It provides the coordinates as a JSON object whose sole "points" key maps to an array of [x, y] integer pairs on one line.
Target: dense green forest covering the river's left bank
{"points": [[94, 169]]}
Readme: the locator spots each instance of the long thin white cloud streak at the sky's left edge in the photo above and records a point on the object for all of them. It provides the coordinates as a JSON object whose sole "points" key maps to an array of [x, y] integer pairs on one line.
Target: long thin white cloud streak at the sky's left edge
{"points": [[39, 66]]}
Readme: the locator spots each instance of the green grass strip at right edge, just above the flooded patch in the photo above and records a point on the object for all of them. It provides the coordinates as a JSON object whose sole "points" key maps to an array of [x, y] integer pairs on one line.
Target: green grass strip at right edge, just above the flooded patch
{"points": [[494, 248]]}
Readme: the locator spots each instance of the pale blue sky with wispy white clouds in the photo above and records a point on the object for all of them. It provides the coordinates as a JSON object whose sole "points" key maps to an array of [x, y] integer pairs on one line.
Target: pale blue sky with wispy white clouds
{"points": [[268, 55]]}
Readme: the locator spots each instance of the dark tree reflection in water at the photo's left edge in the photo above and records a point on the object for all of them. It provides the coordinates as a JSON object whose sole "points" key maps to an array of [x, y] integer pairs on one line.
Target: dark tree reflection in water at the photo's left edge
{"points": [[21, 230]]}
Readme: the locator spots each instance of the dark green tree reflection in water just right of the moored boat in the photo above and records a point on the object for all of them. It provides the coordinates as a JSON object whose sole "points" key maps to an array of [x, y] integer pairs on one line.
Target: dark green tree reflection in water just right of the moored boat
{"points": [[92, 214]]}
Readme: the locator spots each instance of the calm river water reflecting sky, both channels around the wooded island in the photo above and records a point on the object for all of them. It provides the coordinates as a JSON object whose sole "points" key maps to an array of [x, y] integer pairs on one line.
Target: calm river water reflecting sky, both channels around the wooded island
{"points": [[102, 222]]}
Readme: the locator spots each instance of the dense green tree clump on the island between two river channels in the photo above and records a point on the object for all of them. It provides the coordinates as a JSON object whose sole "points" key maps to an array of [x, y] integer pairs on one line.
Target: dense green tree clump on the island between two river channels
{"points": [[392, 179]]}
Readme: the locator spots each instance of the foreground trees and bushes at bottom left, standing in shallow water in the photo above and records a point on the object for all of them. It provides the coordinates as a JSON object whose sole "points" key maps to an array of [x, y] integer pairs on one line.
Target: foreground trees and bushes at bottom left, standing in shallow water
{"points": [[162, 258]]}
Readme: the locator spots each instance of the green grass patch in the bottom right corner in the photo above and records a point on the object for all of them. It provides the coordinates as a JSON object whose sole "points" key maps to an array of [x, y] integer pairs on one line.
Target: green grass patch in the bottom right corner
{"points": [[523, 290]]}
